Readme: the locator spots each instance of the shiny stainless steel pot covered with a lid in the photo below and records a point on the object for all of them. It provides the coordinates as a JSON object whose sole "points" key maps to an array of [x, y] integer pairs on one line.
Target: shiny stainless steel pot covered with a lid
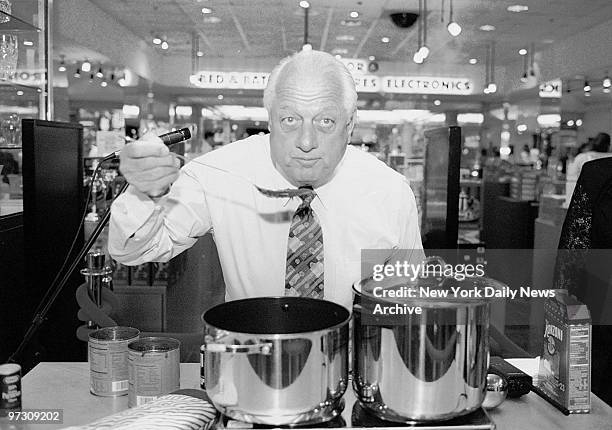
{"points": [[432, 366]]}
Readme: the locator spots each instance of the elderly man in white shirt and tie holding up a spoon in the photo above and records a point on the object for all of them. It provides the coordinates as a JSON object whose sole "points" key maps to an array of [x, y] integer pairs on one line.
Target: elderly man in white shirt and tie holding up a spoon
{"points": [[307, 245]]}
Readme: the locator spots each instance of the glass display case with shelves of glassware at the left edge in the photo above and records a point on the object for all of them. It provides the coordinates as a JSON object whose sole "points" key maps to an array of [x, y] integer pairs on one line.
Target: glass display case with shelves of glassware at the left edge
{"points": [[24, 87]]}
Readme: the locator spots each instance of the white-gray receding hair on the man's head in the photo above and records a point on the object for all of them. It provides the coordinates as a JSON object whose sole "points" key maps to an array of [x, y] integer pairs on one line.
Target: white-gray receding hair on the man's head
{"points": [[326, 63]]}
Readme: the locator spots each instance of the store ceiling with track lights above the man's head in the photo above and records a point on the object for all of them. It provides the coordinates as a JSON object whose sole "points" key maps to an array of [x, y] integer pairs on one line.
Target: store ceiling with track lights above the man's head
{"points": [[274, 28]]}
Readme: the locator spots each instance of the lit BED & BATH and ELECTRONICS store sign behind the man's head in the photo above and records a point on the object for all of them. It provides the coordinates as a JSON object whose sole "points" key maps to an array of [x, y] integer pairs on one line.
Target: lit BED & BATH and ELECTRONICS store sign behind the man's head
{"points": [[364, 83]]}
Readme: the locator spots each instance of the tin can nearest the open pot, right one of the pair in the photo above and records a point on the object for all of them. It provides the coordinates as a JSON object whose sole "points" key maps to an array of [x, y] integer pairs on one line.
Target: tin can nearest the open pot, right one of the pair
{"points": [[154, 368]]}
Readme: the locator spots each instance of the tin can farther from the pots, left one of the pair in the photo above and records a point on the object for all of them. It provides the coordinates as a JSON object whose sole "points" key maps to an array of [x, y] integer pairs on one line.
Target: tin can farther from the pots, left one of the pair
{"points": [[108, 360]]}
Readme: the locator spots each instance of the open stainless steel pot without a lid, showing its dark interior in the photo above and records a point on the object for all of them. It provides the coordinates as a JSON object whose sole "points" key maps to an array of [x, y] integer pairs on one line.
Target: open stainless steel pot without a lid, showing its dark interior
{"points": [[277, 360]]}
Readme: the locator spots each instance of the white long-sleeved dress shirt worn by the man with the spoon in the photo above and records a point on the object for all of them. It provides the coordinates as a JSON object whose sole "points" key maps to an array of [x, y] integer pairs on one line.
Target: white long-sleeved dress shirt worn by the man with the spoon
{"points": [[365, 205]]}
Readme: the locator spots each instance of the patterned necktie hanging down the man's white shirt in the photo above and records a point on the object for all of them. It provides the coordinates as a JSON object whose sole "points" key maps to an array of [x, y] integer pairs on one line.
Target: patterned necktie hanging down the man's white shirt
{"points": [[304, 276]]}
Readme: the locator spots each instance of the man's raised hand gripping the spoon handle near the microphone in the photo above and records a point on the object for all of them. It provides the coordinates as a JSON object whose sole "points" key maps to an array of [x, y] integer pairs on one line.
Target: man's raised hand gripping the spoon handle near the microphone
{"points": [[148, 165]]}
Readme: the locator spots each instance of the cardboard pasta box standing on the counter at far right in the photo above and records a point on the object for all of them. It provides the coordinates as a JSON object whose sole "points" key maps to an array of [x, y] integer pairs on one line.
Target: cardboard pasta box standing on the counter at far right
{"points": [[565, 365]]}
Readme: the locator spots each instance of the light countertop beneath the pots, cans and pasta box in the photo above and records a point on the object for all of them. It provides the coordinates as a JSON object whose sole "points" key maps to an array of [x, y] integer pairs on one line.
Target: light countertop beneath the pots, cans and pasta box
{"points": [[66, 386]]}
